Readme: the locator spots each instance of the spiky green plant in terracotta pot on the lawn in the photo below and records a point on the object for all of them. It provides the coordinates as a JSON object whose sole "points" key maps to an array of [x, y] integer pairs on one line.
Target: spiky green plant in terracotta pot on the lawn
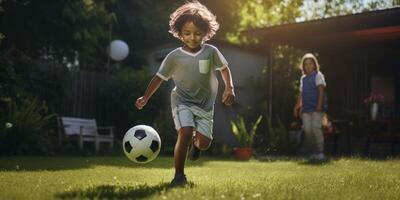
{"points": [[244, 137]]}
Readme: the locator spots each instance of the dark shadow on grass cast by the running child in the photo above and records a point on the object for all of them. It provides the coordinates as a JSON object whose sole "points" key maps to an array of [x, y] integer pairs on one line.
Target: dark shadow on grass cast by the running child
{"points": [[118, 192]]}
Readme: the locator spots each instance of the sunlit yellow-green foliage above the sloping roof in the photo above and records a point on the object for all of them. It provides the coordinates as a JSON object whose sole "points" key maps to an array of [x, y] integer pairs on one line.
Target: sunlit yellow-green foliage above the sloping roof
{"points": [[265, 13]]}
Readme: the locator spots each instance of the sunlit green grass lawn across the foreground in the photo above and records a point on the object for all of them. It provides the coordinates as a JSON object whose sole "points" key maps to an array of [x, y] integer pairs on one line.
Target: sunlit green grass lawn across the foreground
{"points": [[210, 178]]}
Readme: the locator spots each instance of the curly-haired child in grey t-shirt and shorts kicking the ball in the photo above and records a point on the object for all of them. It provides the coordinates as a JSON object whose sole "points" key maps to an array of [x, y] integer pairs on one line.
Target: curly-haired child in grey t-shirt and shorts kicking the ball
{"points": [[193, 69]]}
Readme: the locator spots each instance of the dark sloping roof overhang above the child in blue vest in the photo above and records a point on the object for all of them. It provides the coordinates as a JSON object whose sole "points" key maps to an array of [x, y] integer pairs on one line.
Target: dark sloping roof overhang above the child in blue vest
{"points": [[369, 28]]}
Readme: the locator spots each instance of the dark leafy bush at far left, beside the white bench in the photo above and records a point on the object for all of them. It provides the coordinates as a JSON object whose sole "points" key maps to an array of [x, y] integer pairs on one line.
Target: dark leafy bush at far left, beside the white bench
{"points": [[26, 127]]}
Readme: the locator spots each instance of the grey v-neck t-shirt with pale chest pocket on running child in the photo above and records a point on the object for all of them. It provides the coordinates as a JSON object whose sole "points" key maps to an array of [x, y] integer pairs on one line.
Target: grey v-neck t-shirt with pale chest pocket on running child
{"points": [[194, 76]]}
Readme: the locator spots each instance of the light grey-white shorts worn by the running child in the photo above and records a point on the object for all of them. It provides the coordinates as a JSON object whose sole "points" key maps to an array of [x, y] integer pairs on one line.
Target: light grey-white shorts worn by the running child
{"points": [[202, 121]]}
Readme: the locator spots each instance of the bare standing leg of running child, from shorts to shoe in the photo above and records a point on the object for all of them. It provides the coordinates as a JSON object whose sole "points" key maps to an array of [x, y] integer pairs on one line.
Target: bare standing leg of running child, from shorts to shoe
{"points": [[185, 135]]}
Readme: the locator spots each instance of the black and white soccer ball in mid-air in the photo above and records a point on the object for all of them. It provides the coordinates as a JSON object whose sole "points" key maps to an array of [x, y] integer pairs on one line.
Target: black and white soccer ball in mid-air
{"points": [[141, 144]]}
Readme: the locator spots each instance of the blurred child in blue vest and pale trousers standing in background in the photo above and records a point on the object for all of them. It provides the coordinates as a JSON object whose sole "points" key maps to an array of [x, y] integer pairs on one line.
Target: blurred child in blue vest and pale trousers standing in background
{"points": [[311, 106]]}
